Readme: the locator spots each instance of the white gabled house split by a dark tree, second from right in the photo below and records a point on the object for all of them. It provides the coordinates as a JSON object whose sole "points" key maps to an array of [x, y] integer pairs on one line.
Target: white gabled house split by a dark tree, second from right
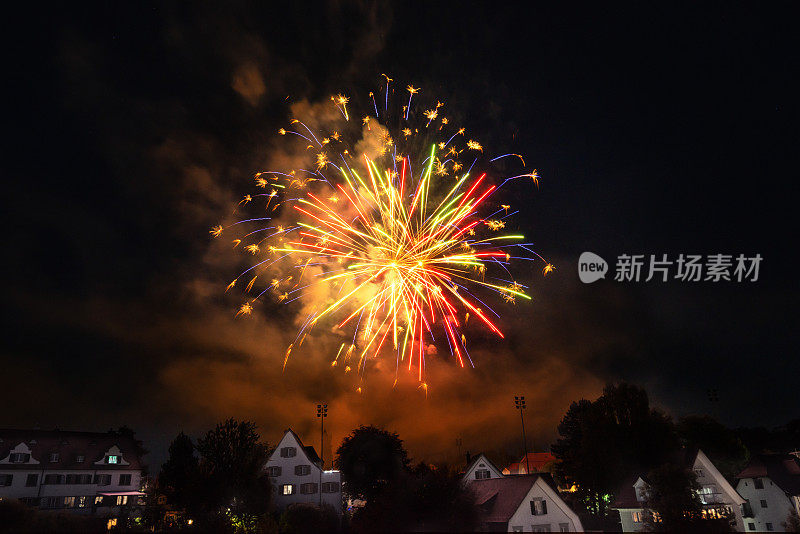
{"points": [[718, 497]]}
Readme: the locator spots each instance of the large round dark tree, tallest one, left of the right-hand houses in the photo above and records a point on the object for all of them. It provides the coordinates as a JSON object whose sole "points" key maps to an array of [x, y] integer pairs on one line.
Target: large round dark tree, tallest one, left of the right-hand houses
{"points": [[603, 442]]}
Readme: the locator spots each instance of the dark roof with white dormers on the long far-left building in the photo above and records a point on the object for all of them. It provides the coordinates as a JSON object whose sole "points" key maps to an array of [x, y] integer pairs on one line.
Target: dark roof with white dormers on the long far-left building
{"points": [[69, 445]]}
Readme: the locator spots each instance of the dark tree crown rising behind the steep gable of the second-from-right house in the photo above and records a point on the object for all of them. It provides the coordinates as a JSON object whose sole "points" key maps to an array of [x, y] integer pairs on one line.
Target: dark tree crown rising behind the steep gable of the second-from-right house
{"points": [[720, 444]]}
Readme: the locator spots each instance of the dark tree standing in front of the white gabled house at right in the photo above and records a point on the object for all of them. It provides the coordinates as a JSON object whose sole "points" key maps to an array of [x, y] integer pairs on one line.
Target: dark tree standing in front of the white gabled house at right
{"points": [[673, 503]]}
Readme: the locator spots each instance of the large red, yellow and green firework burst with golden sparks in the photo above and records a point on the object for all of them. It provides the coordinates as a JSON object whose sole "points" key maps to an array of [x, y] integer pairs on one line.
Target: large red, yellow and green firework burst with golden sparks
{"points": [[403, 239]]}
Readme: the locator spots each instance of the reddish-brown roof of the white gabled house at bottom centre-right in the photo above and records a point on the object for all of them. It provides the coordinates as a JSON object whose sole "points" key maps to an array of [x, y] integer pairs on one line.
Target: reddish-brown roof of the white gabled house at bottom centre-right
{"points": [[498, 498]]}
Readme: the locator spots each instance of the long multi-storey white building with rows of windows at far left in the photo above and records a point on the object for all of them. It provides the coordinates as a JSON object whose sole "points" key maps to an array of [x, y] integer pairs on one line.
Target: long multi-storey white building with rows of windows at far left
{"points": [[80, 472]]}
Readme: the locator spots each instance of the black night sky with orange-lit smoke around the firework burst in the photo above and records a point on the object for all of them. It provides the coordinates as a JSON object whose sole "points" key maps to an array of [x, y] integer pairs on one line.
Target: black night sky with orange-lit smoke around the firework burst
{"points": [[657, 129]]}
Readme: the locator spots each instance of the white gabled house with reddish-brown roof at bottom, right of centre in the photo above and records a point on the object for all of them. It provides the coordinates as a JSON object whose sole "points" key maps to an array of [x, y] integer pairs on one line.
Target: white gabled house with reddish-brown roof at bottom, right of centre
{"points": [[524, 503]]}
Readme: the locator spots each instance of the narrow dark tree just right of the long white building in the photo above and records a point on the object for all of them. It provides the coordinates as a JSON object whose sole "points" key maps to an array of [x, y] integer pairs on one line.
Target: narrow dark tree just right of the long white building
{"points": [[179, 475]]}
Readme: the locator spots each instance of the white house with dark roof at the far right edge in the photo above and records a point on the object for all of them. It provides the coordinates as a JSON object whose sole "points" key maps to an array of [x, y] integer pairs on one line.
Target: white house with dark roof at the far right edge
{"points": [[771, 485]]}
